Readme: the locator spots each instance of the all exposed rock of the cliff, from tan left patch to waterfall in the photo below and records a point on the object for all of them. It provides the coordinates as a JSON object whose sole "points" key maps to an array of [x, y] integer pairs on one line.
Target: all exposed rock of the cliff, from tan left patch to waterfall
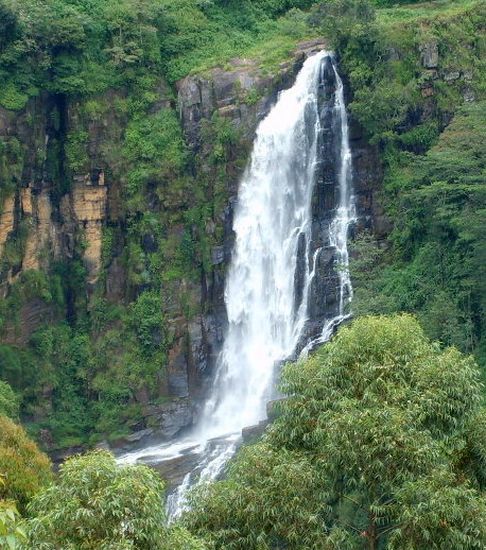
{"points": [[57, 204]]}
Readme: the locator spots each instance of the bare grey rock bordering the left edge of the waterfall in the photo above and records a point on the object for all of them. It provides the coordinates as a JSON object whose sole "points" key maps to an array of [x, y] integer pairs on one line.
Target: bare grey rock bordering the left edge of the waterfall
{"points": [[243, 96]]}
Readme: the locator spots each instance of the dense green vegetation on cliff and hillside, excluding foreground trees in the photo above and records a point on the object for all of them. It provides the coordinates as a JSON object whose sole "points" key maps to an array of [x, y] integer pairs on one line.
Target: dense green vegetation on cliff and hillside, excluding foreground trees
{"points": [[89, 376]]}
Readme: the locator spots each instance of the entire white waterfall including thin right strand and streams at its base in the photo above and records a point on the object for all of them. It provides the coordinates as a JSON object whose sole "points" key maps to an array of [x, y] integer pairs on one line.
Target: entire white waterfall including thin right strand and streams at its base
{"points": [[267, 310]]}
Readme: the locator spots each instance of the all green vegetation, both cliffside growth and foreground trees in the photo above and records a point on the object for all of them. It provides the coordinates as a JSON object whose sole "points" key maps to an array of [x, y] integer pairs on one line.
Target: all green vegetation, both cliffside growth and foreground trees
{"points": [[382, 443]]}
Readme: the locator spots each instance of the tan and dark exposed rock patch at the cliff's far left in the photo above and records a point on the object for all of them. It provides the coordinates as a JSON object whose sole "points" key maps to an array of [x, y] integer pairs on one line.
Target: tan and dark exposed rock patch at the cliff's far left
{"points": [[51, 217]]}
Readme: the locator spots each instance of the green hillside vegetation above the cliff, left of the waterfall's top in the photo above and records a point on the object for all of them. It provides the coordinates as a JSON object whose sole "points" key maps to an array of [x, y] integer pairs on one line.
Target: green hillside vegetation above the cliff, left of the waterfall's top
{"points": [[85, 47]]}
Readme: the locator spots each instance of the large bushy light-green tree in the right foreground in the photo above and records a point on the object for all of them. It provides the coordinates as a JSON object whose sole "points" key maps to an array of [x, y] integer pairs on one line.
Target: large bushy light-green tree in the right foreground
{"points": [[387, 432]]}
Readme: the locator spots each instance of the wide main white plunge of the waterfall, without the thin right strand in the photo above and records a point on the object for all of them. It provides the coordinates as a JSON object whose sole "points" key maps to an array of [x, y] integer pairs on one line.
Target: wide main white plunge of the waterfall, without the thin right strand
{"points": [[273, 212]]}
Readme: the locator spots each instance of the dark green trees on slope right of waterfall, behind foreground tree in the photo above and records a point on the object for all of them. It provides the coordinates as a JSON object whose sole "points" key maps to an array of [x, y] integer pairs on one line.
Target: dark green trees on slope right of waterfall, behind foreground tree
{"points": [[437, 259]]}
